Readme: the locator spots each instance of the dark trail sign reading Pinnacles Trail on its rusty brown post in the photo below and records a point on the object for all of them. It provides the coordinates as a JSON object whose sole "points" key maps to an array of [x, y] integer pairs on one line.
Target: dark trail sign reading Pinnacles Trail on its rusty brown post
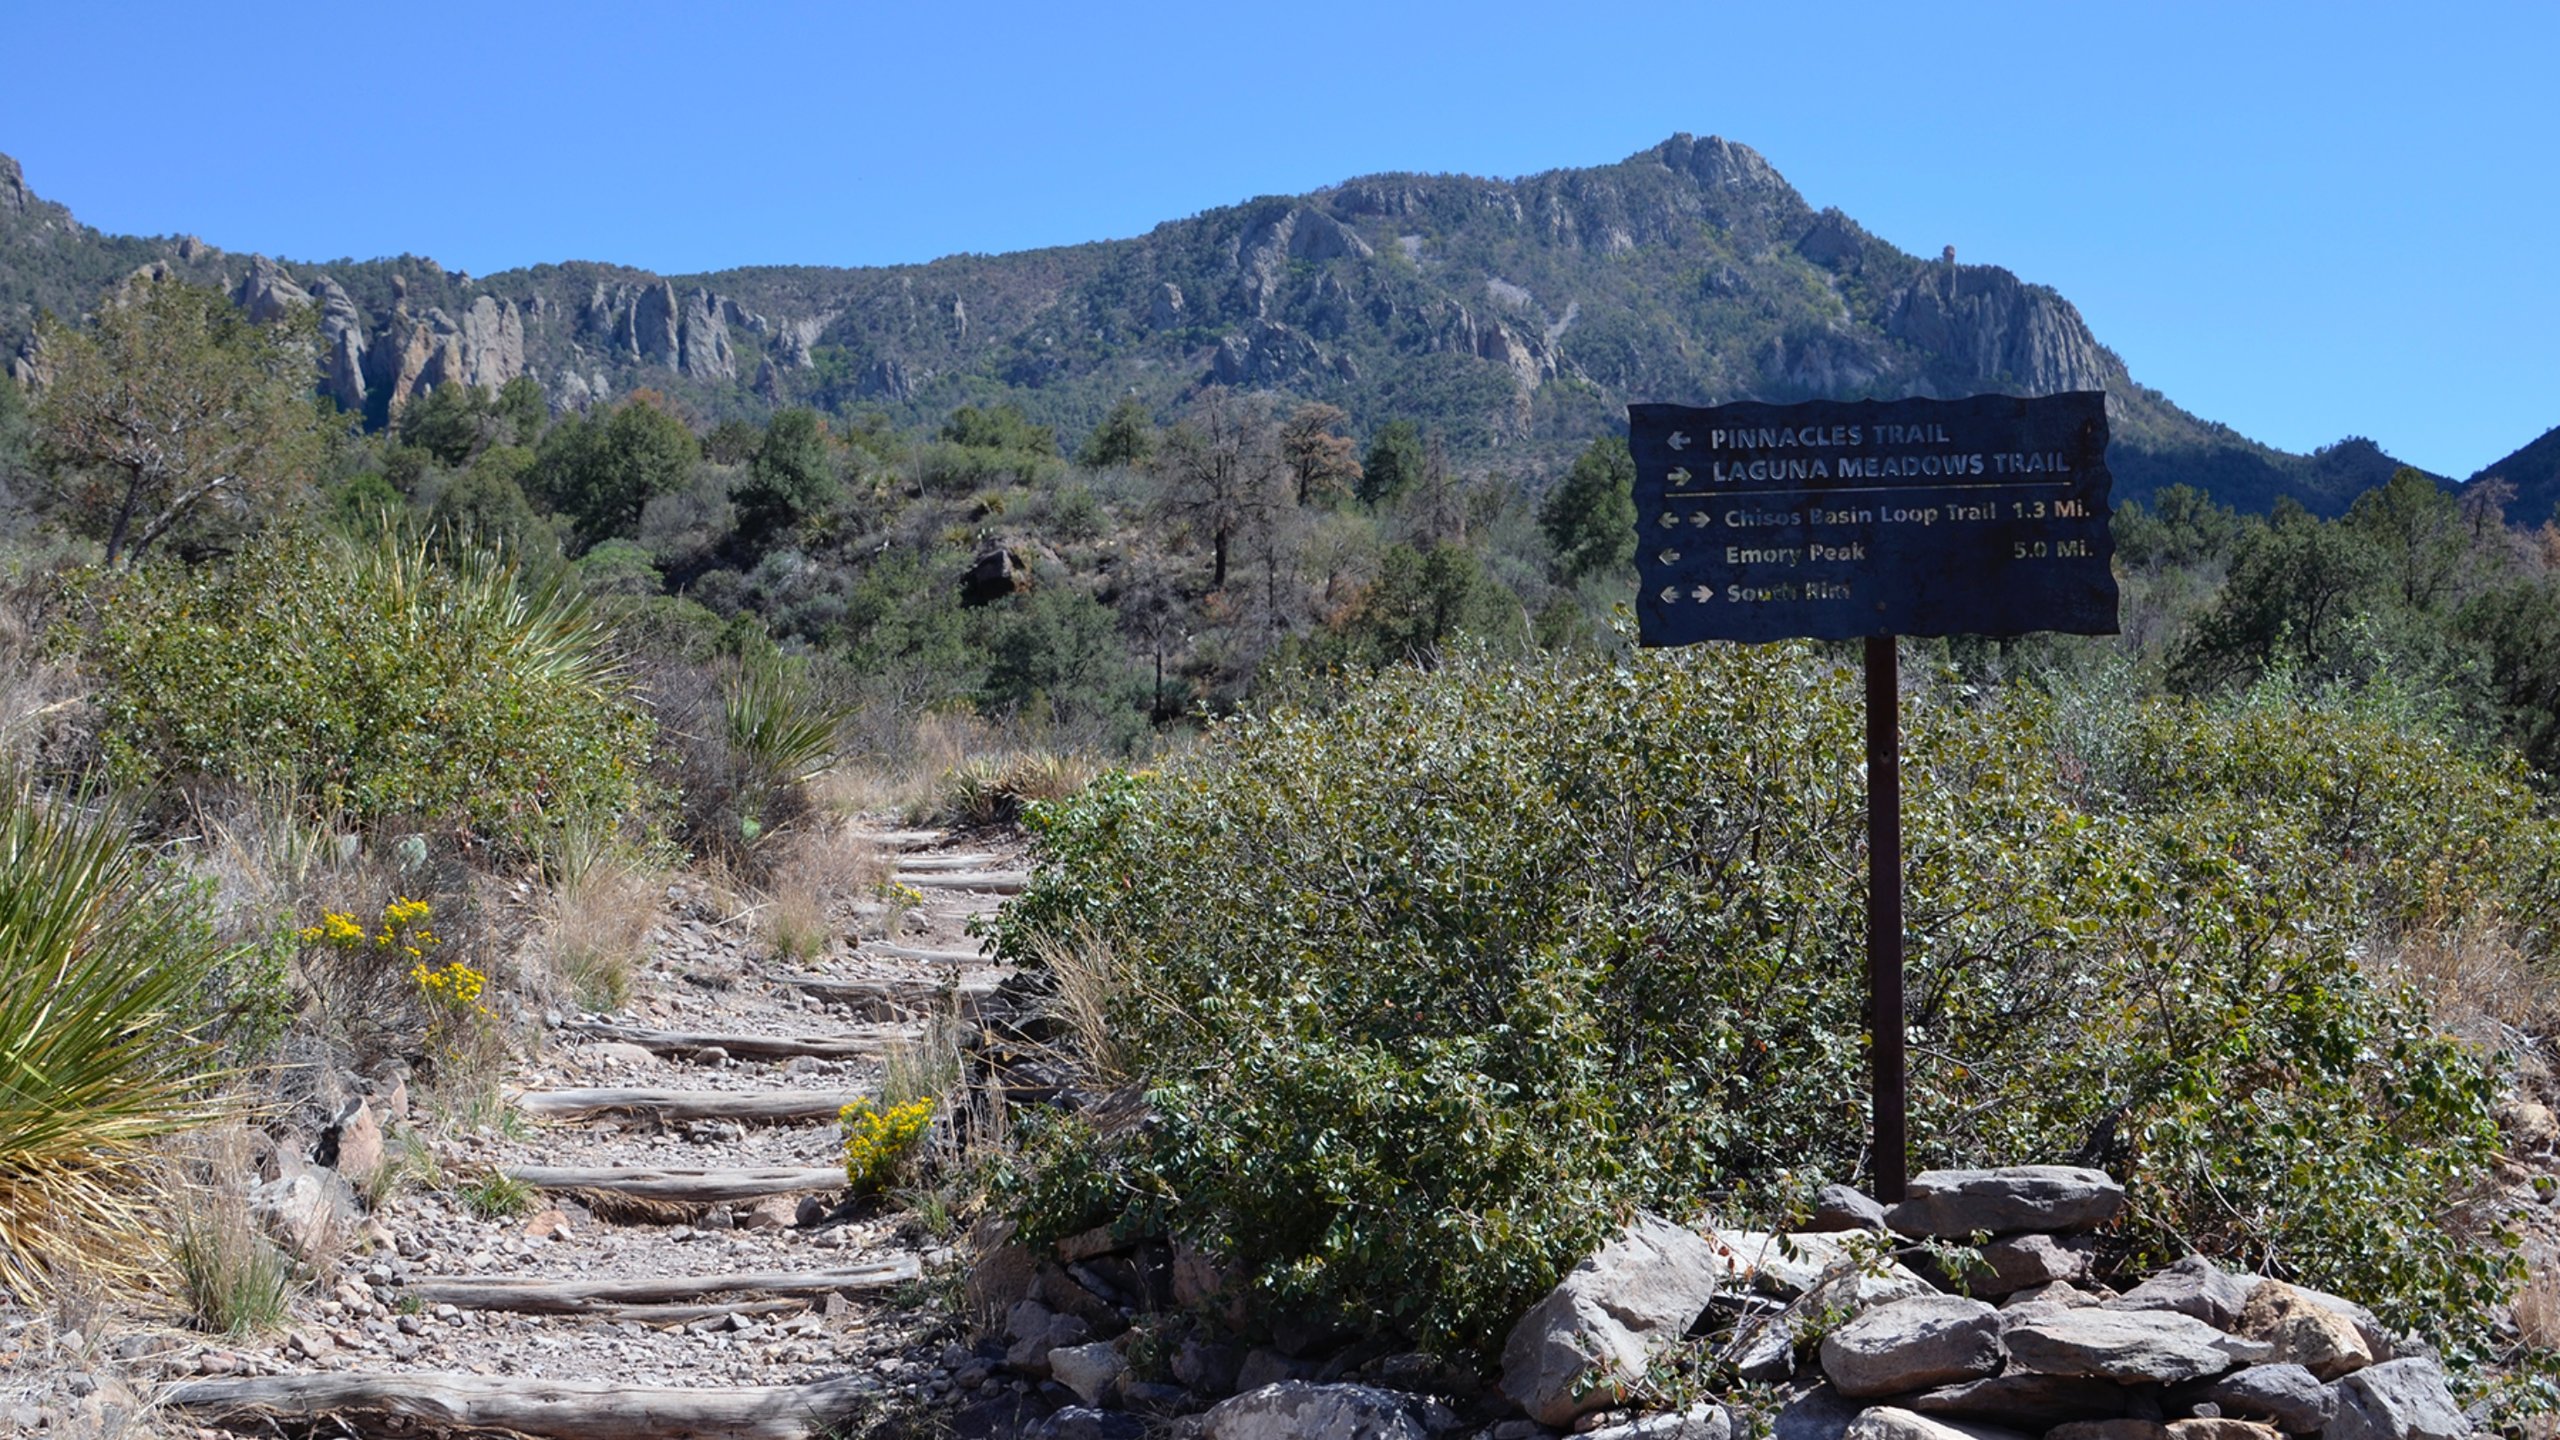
{"points": [[1870, 521]]}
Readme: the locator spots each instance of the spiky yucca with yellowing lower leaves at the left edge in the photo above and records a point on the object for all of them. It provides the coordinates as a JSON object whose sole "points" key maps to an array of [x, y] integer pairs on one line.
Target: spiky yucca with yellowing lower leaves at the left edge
{"points": [[101, 962]]}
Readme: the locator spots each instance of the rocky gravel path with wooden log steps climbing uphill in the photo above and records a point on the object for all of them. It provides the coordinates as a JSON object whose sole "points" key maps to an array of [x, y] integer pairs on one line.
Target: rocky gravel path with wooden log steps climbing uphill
{"points": [[692, 1264]]}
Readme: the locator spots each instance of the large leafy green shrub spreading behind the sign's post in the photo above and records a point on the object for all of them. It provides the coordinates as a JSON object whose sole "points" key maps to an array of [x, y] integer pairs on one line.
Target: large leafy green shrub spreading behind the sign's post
{"points": [[1437, 988]]}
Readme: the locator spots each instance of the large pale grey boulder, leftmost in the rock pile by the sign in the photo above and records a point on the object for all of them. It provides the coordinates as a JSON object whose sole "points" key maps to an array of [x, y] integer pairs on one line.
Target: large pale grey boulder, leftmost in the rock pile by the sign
{"points": [[1596, 1334]]}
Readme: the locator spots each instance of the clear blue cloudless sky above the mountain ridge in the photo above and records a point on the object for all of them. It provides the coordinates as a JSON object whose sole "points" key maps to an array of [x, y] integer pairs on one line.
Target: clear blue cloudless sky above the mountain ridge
{"points": [[2303, 222]]}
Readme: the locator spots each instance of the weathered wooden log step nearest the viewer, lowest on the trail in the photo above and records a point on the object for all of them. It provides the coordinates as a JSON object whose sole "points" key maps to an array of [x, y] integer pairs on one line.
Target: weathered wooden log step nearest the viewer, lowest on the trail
{"points": [[521, 1405]]}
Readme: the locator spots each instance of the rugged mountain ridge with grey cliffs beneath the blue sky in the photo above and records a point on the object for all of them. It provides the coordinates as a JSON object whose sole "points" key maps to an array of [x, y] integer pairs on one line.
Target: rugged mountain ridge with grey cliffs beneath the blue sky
{"points": [[1512, 316]]}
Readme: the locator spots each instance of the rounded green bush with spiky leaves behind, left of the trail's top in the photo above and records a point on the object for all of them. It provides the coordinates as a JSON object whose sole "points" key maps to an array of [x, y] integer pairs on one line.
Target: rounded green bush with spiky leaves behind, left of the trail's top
{"points": [[378, 680]]}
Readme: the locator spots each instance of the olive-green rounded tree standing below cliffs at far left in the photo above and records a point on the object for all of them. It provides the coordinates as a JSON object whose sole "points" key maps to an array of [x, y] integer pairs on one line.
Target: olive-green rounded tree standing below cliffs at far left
{"points": [[178, 414]]}
